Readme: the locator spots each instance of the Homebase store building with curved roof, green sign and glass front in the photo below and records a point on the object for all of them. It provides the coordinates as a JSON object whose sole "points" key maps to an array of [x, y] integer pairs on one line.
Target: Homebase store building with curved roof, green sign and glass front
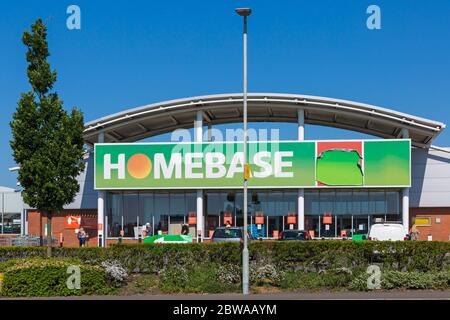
{"points": [[328, 203]]}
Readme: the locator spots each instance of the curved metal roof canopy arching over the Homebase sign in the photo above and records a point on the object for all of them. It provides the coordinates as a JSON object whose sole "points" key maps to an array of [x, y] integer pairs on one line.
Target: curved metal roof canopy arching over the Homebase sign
{"points": [[154, 119]]}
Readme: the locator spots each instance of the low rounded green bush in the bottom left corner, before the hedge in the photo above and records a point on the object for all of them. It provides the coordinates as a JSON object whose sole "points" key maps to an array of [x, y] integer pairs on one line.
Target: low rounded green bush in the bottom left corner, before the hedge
{"points": [[39, 277]]}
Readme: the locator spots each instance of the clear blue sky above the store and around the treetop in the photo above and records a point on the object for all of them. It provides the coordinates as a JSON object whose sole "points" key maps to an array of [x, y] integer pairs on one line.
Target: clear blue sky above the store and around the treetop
{"points": [[131, 53]]}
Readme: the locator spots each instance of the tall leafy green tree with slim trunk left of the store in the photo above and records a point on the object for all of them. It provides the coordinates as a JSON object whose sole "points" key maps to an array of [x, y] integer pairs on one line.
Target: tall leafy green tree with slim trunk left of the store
{"points": [[47, 141]]}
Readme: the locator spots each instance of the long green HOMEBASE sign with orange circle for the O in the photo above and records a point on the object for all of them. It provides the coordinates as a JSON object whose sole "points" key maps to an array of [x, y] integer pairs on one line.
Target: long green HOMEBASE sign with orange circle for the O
{"points": [[273, 164]]}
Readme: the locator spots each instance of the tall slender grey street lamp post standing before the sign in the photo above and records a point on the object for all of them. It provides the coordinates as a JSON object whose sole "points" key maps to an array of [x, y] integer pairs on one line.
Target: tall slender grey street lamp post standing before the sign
{"points": [[245, 12]]}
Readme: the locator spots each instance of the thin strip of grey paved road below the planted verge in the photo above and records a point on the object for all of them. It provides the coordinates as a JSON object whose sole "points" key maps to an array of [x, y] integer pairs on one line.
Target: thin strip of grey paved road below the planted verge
{"points": [[377, 295]]}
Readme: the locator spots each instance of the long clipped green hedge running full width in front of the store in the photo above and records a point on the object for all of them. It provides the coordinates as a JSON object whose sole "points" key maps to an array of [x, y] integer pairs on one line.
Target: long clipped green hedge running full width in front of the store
{"points": [[310, 256]]}
